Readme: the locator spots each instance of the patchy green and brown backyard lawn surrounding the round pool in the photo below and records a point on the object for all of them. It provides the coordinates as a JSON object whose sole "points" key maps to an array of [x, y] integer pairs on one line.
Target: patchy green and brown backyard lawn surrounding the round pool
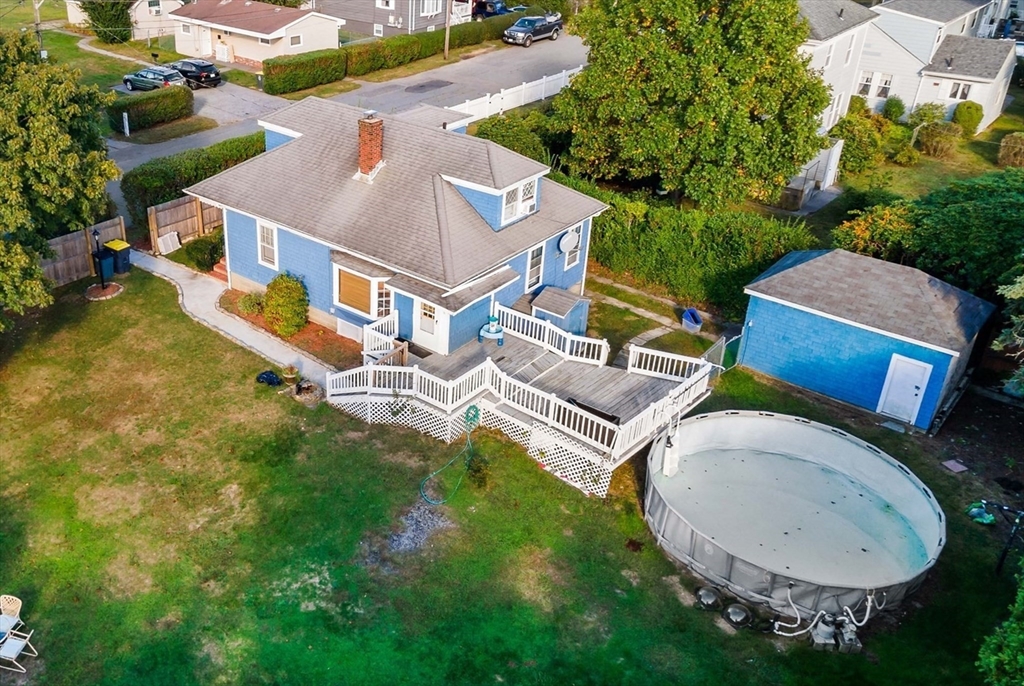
{"points": [[166, 521]]}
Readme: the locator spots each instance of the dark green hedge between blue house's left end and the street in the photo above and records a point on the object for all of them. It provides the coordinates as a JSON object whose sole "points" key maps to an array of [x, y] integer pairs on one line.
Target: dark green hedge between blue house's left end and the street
{"points": [[164, 179]]}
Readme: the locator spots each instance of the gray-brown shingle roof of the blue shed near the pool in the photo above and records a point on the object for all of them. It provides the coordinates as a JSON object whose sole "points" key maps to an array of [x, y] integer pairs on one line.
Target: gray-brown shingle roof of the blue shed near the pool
{"points": [[887, 297]]}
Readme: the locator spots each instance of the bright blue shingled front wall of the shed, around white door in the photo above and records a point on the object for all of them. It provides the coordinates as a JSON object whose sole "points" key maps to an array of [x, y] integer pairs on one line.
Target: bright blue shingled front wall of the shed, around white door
{"points": [[832, 358]]}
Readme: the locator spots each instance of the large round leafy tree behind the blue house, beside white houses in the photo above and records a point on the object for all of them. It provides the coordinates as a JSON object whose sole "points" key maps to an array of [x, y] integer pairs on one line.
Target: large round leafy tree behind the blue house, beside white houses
{"points": [[710, 97]]}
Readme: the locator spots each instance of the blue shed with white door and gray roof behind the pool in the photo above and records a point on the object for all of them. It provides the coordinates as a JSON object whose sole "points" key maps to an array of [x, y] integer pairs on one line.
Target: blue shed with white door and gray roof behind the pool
{"points": [[881, 336]]}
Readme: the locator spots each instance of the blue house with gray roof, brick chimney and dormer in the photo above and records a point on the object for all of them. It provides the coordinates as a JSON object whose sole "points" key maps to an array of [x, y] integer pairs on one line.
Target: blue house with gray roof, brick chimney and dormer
{"points": [[387, 218]]}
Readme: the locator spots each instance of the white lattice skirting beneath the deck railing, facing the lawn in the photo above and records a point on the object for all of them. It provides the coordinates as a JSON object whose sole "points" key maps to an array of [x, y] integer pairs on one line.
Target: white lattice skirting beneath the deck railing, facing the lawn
{"points": [[569, 460]]}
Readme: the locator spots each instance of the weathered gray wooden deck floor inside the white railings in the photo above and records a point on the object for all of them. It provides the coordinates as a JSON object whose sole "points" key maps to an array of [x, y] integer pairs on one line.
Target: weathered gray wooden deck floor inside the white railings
{"points": [[608, 390]]}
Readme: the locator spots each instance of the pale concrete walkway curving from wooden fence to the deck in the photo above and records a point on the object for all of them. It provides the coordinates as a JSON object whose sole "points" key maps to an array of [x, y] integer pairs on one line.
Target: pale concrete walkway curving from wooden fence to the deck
{"points": [[199, 295]]}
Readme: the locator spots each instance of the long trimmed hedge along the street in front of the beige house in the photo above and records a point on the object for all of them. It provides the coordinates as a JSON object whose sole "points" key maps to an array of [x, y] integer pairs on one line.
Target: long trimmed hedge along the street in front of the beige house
{"points": [[286, 75]]}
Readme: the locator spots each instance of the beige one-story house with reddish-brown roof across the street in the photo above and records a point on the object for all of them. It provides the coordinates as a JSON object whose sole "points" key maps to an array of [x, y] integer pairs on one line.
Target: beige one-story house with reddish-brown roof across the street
{"points": [[247, 32]]}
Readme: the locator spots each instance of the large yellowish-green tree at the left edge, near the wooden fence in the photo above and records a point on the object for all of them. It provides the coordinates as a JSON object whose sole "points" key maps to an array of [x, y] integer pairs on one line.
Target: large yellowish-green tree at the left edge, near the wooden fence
{"points": [[54, 164]]}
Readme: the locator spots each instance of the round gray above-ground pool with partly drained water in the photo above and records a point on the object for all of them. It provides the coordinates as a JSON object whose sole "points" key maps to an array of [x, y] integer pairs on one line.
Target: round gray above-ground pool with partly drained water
{"points": [[774, 507]]}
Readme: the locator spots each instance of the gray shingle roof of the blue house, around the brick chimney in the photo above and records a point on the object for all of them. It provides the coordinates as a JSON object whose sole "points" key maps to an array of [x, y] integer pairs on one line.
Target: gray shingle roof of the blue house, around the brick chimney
{"points": [[409, 218]]}
